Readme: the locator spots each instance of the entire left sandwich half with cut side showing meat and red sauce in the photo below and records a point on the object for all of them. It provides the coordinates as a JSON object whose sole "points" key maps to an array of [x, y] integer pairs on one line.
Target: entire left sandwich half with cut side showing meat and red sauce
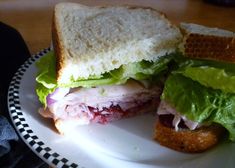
{"points": [[107, 63]]}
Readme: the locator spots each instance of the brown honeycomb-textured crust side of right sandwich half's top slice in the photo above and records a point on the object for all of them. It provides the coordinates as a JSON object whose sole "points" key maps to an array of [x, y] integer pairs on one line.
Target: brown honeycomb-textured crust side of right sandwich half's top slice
{"points": [[210, 47]]}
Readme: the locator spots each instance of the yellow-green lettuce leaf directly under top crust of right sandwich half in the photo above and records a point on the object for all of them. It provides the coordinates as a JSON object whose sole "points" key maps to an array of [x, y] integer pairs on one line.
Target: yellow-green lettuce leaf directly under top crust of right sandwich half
{"points": [[214, 74]]}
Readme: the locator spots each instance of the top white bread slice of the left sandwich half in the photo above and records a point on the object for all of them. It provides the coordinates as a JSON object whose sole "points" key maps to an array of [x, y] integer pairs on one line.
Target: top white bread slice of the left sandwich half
{"points": [[90, 41]]}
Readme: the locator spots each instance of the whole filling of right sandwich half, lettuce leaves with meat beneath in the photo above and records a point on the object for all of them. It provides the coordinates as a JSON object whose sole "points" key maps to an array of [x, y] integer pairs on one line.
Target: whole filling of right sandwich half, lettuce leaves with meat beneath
{"points": [[199, 93]]}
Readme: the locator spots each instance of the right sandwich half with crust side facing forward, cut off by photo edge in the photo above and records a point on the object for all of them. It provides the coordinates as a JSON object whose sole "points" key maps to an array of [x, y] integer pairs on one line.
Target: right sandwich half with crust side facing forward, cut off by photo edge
{"points": [[197, 107]]}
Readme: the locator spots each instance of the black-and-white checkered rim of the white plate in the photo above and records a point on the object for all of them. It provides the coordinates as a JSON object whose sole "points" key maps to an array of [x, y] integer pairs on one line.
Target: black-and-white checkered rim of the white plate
{"points": [[20, 123]]}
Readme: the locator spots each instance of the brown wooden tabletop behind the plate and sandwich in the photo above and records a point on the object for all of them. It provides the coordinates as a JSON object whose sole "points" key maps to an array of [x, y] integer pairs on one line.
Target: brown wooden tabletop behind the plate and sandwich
{"points": [[33, 18]]}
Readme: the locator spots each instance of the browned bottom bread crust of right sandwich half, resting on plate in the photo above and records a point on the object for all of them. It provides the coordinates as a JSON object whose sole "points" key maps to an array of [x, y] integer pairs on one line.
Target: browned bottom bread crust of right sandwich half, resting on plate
{"points": [[188, 141]]}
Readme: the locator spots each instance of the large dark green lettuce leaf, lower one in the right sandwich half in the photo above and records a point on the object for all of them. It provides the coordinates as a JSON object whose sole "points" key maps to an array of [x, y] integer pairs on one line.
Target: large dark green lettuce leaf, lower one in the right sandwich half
{"points": [[199, 103]]}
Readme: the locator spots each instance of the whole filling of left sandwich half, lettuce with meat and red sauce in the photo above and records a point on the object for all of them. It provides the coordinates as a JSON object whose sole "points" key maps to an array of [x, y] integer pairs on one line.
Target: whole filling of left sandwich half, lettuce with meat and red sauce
{"points": [[123, 92]]}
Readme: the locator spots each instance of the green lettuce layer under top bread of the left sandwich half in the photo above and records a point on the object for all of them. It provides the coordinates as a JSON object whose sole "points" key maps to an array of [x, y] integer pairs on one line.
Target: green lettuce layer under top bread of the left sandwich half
{"points": [[46, 77]]}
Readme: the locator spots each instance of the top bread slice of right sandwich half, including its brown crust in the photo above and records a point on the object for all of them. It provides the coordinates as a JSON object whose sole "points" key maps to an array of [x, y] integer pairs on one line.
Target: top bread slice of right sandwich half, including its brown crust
{"points": [[207, 43]]}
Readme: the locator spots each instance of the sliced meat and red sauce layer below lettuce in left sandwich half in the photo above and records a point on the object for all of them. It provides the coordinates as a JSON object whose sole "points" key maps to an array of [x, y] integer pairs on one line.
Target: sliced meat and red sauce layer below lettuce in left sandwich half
{"points": [[101, 104]]}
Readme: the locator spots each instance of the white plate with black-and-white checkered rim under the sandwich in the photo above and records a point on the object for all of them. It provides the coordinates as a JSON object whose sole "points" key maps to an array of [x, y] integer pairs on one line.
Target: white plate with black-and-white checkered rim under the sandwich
{"points": [[124, 143]]}
